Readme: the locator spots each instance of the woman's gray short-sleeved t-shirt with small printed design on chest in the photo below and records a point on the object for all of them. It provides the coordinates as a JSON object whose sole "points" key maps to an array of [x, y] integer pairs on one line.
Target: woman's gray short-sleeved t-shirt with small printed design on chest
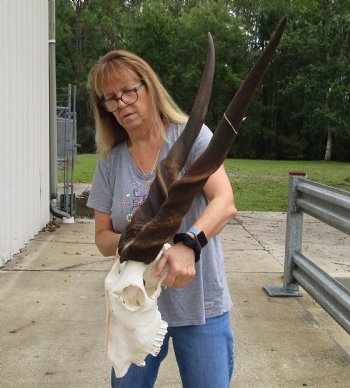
{"points": [[119, 187]]}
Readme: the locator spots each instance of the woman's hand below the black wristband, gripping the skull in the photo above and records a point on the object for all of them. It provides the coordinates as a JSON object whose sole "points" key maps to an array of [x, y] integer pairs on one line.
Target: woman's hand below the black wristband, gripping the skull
{"points": [[181, 266]]}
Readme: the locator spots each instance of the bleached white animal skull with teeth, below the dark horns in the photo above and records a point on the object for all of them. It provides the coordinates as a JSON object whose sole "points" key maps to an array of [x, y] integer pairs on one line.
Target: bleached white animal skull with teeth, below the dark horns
{"points": [[134, 324]]}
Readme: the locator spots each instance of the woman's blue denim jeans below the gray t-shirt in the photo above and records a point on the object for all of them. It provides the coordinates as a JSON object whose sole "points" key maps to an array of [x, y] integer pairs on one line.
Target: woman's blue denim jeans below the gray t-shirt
{"points": [[203, 353]]}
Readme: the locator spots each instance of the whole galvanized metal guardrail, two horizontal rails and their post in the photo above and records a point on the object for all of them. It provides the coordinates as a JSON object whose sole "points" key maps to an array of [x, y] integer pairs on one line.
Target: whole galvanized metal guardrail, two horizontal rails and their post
{"points": [[328, 205]]}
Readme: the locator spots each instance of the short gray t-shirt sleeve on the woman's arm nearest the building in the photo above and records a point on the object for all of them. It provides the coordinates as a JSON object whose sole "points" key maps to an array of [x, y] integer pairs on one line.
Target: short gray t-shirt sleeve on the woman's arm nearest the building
{"points": [[101, 193]]}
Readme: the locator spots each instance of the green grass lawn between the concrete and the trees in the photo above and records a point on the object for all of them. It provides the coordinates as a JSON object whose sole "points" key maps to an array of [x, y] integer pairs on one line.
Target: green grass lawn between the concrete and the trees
{"points": [[259, 185]]}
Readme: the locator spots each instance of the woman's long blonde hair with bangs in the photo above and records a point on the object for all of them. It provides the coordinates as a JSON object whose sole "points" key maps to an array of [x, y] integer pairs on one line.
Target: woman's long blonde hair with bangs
{"points": [[115, 65]]}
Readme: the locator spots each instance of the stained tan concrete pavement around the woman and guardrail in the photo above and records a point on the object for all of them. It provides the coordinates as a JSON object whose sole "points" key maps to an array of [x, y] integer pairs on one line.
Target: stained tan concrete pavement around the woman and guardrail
{"points": [[52, 310]]}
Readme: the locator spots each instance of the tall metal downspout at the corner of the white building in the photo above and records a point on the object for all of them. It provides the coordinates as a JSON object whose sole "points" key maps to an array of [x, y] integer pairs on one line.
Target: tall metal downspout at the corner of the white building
{"points": [[53, 115]]}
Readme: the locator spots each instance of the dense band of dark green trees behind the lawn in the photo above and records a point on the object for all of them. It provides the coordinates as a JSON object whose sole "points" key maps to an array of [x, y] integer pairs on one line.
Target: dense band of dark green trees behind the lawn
{"points": [[301, 110]]}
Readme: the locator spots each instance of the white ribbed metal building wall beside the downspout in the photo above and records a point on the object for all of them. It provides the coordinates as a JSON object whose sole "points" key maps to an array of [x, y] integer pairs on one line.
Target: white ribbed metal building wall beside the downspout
{"points": [[24, 123]]}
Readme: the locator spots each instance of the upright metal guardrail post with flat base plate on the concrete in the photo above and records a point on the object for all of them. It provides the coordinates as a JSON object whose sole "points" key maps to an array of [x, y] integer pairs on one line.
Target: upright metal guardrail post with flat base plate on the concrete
{"points": [[294, 233]]}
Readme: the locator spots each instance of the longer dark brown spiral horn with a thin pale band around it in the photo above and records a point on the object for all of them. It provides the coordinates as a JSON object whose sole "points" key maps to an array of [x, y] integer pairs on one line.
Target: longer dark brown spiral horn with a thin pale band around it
{"points": [[150, 239]]}
